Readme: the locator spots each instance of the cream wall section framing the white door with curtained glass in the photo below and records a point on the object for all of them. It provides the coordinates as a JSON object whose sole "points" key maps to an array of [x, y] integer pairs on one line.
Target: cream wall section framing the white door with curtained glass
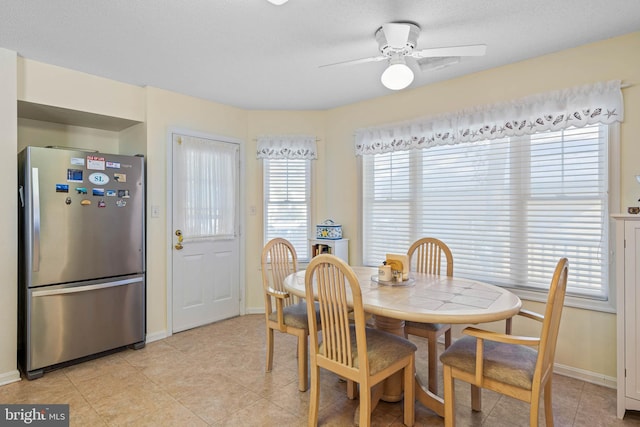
{"points": [[167, 110]]}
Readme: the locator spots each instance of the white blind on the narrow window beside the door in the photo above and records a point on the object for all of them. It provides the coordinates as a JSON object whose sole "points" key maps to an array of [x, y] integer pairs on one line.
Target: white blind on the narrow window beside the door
{"points": [[287, 190]]}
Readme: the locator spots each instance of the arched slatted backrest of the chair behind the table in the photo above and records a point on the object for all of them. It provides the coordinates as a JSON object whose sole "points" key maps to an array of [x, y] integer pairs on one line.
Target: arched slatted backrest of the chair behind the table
{"points": [[430, 255]]}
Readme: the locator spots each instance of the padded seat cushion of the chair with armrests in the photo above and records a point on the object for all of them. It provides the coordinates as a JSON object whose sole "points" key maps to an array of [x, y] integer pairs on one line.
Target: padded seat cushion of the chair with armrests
{"points": [[507, 363]]}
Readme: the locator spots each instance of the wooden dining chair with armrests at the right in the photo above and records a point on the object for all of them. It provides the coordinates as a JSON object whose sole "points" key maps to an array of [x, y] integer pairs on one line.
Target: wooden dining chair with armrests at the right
{"points": [[506, 363]]}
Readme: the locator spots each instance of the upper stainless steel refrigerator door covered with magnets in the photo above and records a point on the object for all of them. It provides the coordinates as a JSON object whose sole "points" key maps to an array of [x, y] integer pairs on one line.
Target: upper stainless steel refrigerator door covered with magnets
{"points": [[83, 215]]}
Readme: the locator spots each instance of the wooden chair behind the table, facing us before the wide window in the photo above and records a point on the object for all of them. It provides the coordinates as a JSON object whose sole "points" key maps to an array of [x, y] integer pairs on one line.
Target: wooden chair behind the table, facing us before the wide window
{"points": [[431, 256]]}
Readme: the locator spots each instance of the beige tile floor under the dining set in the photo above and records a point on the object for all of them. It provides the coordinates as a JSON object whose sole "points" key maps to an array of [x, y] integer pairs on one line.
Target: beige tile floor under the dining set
{"points": [[214, 376]]}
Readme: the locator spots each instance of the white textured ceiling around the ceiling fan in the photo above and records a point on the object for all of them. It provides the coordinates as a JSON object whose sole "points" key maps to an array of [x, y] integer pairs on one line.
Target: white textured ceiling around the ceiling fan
{"points": [[254, 55]]}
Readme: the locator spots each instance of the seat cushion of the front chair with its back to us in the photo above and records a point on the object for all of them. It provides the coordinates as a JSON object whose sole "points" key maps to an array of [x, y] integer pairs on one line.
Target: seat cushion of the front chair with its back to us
{"points": [[383, 349]]}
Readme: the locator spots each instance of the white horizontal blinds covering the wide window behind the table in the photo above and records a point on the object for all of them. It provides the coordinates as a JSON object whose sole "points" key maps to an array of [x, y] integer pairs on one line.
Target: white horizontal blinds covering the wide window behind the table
{"points": [[508, 208]]}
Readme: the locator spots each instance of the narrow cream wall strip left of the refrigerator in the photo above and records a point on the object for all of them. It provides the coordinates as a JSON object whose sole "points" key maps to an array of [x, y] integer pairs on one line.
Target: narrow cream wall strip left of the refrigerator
{"points": [[8, 217]]}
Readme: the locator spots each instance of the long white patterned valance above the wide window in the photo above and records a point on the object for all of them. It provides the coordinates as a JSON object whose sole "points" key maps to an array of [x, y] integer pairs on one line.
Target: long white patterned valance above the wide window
{"points": [[578, 106]]}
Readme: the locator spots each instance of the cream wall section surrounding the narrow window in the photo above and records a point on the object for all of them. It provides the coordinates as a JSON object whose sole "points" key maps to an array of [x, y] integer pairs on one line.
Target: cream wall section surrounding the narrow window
{"points": [[277, 123]]}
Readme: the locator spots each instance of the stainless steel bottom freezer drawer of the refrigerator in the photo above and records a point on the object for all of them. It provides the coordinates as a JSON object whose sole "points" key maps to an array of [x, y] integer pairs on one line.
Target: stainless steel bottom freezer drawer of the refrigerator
{"points": [[67, 322]]}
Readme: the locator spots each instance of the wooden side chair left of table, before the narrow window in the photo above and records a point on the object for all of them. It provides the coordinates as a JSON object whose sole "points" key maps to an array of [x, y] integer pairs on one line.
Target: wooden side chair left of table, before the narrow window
{"points": [[284, 312]]}
